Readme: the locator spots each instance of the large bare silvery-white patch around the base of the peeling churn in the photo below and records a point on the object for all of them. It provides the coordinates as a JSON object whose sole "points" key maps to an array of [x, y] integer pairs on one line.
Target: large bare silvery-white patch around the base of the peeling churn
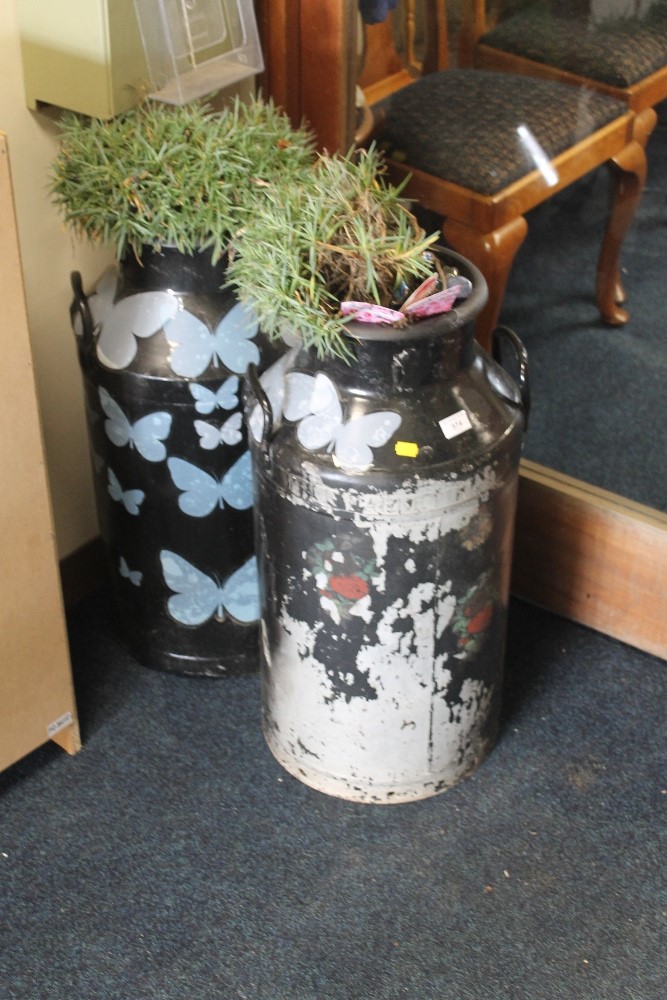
{"points": [[404, 741]]}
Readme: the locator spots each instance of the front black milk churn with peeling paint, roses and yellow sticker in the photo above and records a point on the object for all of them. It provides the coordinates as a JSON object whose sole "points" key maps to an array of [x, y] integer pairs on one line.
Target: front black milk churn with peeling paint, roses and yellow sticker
{"points": [[385, 504]]}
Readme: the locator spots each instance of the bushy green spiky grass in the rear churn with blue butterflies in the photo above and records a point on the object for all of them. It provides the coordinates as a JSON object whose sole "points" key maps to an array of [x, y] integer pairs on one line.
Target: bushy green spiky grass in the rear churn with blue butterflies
{"points": [[186, 177]]}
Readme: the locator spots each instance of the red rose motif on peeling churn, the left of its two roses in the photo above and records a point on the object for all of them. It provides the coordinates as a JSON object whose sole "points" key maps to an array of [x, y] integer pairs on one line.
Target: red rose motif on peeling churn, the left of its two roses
{"points": [[342, 577]]}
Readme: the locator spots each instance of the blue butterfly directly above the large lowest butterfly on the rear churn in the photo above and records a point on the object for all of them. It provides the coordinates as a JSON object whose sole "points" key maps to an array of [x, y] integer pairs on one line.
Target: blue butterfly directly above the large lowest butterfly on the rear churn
{"points": [[202, 492]]}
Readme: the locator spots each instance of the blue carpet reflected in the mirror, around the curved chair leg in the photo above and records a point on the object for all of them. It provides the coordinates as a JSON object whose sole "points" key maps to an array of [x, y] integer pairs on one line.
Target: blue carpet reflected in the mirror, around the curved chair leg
{"points": [[600, 403]]}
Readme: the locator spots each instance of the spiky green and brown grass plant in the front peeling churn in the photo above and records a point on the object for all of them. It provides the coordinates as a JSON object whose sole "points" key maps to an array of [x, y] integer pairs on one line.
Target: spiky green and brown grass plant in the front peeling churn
{"points": [[344, 235]]}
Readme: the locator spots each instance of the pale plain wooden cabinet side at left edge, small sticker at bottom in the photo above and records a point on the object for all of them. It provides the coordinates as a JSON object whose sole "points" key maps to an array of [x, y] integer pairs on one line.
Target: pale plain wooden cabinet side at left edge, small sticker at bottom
{"points": [[36, 692]]}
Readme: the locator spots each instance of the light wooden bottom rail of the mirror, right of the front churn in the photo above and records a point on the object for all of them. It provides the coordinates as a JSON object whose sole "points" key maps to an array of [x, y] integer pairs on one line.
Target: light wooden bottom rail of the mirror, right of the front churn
{"points": [[592, 556]]}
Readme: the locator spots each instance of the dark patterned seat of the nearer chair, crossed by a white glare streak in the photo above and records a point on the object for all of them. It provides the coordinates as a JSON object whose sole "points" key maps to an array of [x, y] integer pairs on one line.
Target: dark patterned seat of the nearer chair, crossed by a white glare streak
{"points": [[429, 124]]}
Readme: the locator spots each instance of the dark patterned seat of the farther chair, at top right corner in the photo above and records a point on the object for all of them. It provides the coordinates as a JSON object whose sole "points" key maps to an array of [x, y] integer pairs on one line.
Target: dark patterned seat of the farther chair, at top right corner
{"points": [[620, 51]]}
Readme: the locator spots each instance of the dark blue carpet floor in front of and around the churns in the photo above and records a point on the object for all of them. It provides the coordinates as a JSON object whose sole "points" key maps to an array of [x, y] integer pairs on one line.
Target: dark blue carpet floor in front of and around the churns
{"points": [[174, 859]]}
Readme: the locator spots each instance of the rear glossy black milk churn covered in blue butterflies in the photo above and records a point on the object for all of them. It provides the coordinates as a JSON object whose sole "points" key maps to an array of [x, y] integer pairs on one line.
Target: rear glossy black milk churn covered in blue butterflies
{"points": [[163, 351]]}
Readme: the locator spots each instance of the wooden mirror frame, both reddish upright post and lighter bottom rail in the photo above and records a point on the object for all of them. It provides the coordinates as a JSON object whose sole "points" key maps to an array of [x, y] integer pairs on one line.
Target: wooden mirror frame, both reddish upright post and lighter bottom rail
{"points": [[581, 552]]}
